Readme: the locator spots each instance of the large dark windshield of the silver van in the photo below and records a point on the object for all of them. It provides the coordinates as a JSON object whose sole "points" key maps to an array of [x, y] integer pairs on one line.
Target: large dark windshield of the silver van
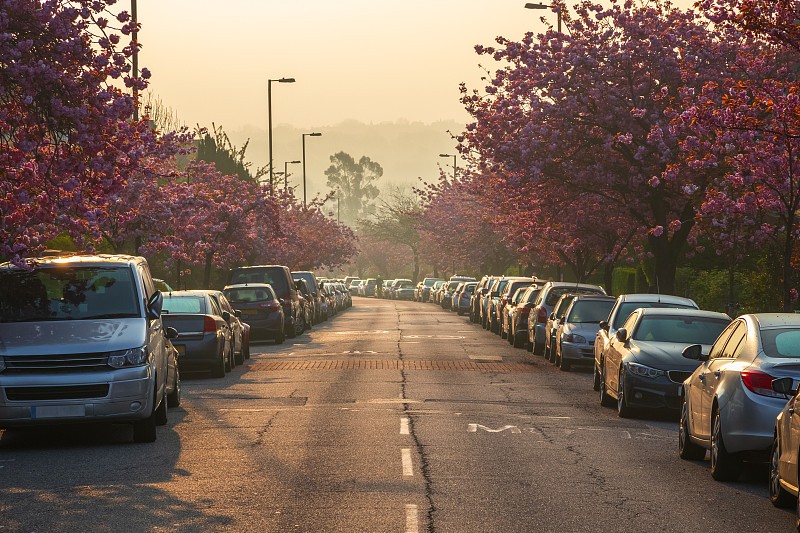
{"points": [[67, 293]]}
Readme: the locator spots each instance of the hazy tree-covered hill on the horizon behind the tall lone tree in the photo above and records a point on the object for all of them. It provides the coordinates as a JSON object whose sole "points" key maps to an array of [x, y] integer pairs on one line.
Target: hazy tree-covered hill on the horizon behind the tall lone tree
{"points": [[405, 150]]}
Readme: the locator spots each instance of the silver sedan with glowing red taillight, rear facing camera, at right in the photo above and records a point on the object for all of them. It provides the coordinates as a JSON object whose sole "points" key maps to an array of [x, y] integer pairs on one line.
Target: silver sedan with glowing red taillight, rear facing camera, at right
{"points": [[729, 404]]}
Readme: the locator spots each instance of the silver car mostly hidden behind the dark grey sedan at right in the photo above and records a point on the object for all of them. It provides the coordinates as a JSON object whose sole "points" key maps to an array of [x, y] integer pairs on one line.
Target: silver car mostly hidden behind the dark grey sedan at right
{"points": [[623, 307]]}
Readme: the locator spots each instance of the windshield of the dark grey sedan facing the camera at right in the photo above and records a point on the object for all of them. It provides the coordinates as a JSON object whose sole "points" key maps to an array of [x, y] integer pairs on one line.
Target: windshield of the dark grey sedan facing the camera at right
{"points": [[677, 329]]}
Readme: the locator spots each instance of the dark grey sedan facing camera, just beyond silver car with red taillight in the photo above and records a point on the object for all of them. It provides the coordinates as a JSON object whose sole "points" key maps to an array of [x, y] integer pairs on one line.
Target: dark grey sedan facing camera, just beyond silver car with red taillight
{"points": [[643, 367]]}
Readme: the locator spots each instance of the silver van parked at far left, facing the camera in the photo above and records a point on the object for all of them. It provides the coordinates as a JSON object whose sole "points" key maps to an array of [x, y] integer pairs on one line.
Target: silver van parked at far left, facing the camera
{"points": [[81, 340]]}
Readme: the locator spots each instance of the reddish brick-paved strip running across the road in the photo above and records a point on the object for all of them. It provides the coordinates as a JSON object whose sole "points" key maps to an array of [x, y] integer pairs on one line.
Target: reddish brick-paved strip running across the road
{"points": [[396, 364]]}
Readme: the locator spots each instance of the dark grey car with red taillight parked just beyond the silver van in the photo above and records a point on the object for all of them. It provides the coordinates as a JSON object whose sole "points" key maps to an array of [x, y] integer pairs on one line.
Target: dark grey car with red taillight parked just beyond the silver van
{"points": [[205, 338]]}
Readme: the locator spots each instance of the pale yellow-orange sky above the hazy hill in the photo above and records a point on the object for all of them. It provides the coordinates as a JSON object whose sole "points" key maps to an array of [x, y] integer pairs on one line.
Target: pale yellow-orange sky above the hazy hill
{"points": [[371, 61]]}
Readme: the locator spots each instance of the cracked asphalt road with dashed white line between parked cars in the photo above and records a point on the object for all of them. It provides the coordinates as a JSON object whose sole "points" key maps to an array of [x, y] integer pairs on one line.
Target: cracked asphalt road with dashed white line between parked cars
{"points": [[391, 417]]}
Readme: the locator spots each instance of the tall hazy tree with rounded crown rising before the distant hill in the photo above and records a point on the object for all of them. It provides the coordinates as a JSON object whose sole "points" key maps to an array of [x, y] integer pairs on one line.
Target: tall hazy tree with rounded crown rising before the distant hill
{"points": [[354, 182]]}
